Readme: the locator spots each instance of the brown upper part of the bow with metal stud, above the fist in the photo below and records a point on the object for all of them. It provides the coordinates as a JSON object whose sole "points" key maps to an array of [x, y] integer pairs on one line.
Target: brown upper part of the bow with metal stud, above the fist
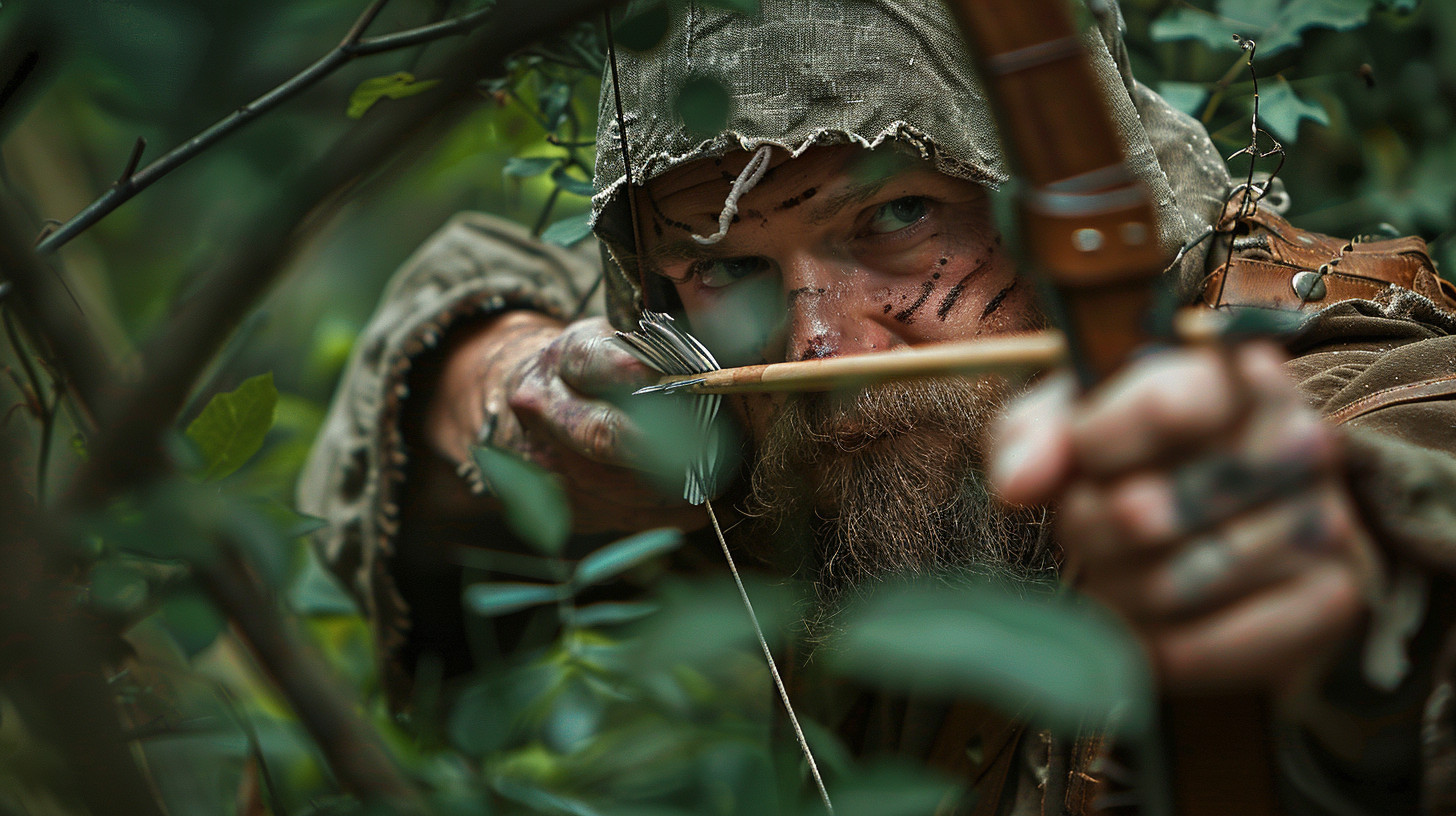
{"points": [[1088, 225]]}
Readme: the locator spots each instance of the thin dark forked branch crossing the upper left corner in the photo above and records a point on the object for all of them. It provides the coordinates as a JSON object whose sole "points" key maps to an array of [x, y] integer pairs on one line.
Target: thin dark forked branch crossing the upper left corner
{"points": [[350, 49]]}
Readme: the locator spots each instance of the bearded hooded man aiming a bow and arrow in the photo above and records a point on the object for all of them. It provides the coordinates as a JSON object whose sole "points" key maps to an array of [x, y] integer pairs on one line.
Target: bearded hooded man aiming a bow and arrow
{"points": [[844, 212]]}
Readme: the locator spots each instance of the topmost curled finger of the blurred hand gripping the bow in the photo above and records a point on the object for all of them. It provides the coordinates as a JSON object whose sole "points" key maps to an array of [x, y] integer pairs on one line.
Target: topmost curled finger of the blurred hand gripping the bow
{"points": [[1171, 401]]}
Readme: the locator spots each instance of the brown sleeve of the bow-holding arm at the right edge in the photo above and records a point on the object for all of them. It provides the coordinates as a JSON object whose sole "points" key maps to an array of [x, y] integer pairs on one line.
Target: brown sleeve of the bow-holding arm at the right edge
{"points": [[1374, 738]]}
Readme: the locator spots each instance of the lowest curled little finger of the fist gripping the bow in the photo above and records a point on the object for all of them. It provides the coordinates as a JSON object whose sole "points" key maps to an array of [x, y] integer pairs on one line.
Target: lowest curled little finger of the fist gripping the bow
{"points": [[1265, 640]]}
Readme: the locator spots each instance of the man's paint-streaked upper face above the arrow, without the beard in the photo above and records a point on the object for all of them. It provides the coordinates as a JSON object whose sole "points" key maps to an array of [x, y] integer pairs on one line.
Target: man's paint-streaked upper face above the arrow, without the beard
{"points": [[841, 251]]}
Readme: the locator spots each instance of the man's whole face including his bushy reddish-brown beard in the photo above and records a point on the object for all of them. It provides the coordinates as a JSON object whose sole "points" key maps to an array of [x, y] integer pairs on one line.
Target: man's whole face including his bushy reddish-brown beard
{"points": [[844, 251]]}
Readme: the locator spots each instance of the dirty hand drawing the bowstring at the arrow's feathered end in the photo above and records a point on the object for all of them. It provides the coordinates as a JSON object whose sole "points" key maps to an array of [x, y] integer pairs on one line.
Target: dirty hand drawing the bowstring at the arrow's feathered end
{"points": [[545, 387]]}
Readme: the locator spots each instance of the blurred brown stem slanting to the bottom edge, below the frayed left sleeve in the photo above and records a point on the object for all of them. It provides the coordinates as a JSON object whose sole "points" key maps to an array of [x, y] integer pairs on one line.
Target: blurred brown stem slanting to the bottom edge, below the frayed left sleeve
{"points": [[352, 747]]}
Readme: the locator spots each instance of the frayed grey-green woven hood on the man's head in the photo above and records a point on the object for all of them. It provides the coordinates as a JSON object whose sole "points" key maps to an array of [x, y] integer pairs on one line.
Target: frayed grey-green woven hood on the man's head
{"points": [[867, 72]]}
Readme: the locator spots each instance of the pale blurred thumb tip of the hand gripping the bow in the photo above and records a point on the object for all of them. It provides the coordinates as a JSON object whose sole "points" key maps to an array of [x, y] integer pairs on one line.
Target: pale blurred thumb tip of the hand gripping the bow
{"points": [[1032, 445]]}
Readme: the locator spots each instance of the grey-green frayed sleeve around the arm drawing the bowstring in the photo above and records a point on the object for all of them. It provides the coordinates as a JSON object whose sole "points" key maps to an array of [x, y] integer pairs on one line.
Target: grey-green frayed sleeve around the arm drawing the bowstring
{"points": [[475, 267]]}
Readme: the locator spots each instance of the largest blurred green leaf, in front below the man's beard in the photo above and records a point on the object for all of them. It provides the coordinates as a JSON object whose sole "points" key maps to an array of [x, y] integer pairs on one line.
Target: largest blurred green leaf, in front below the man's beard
{"points": [[1061, 664]]}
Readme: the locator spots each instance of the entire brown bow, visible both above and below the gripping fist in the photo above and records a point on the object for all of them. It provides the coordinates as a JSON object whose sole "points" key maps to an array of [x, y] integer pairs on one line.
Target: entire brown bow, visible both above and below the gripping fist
{"points": [[1090, 231]]}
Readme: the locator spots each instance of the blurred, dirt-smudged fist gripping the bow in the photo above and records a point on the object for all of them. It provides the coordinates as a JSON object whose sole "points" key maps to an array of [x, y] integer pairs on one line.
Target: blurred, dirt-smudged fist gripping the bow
{"points": [[1203, 502]]}
